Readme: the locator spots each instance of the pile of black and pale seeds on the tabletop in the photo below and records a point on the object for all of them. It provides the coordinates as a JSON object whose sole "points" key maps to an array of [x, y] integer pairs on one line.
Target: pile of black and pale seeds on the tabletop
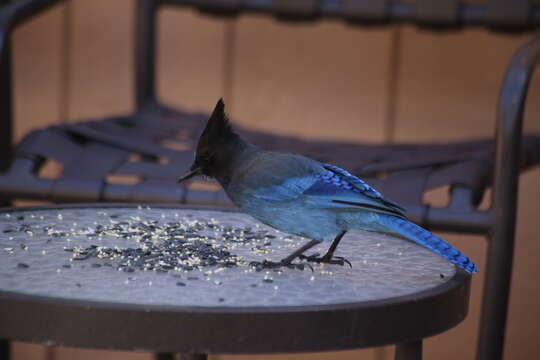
{"points": [[164, 247]]}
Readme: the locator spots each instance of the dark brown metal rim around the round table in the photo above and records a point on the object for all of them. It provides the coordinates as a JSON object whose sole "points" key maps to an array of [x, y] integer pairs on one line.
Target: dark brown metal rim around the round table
{"points": [[198, 331]]}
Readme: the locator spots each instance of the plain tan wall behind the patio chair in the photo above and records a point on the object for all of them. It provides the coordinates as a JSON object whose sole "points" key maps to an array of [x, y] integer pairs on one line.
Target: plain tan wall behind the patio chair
{"points": [[317, 81]]}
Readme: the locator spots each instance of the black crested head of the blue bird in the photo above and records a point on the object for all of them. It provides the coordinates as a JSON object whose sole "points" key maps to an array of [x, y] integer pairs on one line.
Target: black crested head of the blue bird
{"points": [[215, 147]]}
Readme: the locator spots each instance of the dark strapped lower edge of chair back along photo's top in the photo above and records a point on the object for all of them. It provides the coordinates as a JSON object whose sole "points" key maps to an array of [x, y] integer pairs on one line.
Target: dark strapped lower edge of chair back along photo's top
{"points": [[499, 15]]}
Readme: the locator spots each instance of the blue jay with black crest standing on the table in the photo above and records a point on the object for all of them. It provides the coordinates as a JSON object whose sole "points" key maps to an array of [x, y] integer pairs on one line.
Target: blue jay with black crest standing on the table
{"points": [[302, 196]]}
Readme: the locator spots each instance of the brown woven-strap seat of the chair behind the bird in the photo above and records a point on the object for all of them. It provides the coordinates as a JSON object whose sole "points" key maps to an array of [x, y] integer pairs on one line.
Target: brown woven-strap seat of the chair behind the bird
{"points": [[151, 148]]}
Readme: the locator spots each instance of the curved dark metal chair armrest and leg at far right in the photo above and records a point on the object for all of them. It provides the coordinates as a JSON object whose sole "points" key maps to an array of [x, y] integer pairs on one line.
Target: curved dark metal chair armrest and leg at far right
{"points": [[504, 202]]}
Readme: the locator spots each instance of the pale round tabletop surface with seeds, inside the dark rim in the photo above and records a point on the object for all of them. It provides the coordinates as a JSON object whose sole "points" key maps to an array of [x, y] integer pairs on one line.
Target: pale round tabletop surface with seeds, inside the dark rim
{"points": [[192, 257]]}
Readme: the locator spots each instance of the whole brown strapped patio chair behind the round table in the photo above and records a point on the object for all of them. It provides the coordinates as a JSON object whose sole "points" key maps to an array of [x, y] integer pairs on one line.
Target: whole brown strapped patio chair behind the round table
{"points": [[152, 145]]}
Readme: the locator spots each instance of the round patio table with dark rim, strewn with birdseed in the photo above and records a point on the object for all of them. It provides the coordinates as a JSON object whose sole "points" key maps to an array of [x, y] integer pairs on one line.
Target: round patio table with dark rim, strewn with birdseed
{"points": [[166, 269]]}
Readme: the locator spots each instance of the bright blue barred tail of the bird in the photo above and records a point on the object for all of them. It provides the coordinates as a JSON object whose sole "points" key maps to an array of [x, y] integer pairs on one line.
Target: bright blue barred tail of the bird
{"points": [[425, 238]]}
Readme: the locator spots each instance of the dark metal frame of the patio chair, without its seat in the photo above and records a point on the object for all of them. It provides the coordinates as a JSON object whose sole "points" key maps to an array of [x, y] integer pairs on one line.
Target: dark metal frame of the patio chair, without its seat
{"points": [[497, 224]]}
